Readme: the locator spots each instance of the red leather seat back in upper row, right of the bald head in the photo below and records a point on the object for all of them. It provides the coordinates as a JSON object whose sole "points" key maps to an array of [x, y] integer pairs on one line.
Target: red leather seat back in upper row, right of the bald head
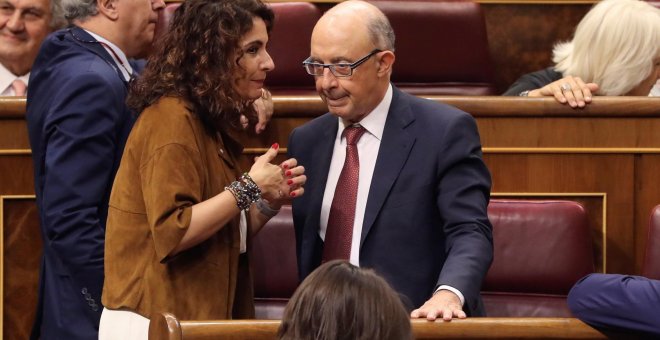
{"points": [[441, 47]]}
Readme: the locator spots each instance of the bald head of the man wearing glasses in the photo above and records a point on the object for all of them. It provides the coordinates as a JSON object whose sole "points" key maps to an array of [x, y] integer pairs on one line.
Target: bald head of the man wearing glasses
{"points": [[358, 36]]}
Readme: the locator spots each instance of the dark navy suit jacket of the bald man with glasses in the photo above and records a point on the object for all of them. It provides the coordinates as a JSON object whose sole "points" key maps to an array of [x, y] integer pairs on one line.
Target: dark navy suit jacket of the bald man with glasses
{"points": [[425, 222]]}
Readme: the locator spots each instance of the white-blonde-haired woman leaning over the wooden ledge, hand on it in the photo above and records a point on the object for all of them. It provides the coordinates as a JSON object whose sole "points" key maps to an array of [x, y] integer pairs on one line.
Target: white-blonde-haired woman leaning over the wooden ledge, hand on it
{"points": [[615, 52]]}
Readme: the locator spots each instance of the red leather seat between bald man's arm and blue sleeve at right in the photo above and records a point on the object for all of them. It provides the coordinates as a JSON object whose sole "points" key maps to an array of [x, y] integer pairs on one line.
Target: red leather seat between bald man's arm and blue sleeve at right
{"points": [[541, 249]]}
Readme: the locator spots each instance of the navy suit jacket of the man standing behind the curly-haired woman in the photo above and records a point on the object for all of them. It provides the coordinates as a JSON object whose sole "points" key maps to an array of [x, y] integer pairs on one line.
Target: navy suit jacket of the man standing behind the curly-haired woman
{"points": [[78, 124]]}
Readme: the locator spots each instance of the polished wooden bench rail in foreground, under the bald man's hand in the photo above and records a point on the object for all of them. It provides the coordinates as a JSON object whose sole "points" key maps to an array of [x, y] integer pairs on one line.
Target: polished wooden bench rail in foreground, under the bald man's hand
{"points": [[167, 327]]}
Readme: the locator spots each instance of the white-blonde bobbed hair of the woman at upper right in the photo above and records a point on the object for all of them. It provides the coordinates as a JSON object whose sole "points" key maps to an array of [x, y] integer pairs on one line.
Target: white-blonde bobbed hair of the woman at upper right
{"points": [[613, 46]]}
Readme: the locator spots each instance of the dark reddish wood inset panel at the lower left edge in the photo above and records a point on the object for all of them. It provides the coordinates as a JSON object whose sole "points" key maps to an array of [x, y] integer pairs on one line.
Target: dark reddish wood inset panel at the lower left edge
{"points": [[19, 269]]}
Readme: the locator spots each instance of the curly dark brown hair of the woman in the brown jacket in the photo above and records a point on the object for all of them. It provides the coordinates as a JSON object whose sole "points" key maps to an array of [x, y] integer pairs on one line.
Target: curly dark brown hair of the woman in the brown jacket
{"points": [[197, 60]]}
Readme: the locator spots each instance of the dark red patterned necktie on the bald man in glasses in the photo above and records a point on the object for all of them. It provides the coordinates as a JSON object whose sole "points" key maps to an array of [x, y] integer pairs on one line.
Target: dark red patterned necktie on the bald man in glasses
{"points": [[339, 232]]}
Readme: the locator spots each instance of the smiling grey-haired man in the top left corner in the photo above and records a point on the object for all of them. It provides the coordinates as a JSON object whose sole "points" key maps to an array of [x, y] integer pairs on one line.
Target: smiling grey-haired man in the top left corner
{"points": [[23, 26]]}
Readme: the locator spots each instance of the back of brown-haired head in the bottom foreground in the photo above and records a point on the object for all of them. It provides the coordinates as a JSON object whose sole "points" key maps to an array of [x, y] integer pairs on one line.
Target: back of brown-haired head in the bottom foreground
{"points": [[341, 301]]}
